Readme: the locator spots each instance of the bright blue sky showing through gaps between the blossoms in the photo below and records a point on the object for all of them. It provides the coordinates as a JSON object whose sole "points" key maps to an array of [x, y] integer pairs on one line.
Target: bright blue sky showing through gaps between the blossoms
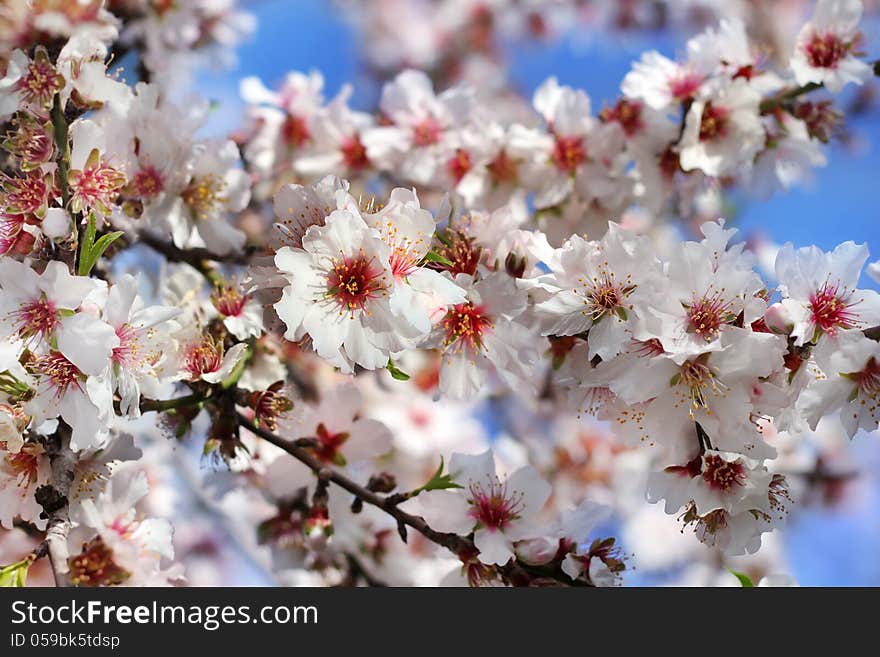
{"points": [[825, 548]]}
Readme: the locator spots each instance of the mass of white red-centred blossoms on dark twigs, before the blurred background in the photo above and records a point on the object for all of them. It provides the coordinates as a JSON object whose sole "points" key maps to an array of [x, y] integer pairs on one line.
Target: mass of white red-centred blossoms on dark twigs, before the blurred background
{"points": [[325, 303]]}
